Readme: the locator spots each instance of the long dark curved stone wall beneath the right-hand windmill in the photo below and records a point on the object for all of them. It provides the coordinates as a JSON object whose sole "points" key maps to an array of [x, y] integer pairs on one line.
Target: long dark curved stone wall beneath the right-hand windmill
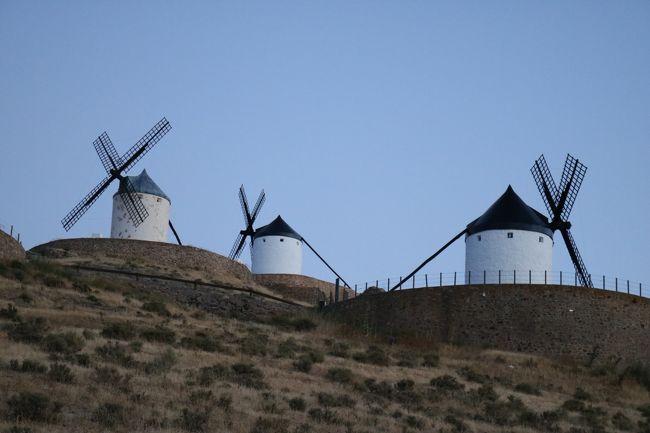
{"points": [[556, 321]]}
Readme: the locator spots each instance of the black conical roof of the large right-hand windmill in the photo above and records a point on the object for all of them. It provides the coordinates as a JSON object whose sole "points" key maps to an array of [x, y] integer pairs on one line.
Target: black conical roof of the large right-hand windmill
{"points": [[510, 212]]}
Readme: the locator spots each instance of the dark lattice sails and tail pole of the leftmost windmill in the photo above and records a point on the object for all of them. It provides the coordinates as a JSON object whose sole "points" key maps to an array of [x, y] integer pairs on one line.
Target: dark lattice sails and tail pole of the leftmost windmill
{"points": [[116, 167]]}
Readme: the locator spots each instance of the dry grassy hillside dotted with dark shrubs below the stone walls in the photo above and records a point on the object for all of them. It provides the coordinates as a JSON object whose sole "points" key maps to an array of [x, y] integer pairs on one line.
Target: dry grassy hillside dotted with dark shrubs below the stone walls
{"points": [[90, 353]]}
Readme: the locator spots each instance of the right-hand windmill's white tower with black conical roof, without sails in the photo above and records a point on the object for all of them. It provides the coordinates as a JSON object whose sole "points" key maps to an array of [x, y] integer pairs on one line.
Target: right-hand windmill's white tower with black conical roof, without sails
{"points": [[511, 241]]}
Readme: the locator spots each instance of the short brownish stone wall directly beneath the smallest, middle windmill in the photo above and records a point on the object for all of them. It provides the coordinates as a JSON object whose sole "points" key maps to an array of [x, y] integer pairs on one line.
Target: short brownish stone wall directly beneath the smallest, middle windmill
{"points": [[301, 287]]}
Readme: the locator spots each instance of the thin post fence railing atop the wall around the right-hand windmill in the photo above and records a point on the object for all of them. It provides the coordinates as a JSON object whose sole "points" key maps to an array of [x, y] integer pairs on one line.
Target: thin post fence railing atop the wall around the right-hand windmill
{"points": [[603, 282]]}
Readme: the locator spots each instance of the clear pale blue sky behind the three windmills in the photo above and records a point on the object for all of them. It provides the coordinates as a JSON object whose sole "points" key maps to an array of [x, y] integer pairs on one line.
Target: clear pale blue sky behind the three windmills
{"points": [[378, 129]]}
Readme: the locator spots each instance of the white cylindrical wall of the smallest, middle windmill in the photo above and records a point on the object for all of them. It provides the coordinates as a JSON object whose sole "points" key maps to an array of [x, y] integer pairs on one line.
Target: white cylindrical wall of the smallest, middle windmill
{"points": [[276, 255]]}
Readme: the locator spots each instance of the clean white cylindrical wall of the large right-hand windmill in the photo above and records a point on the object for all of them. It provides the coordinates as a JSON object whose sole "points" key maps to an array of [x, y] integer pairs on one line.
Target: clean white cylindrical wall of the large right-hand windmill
{"points": [[495, 251]]}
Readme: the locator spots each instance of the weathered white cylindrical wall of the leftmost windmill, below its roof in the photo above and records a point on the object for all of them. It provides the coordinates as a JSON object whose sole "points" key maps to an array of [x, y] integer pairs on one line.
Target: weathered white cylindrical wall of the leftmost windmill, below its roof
{"points": [[153, 228]]}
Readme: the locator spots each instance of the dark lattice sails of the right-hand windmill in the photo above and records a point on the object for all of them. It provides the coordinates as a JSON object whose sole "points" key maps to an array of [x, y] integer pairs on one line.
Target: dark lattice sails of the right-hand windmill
{"points": [[559, 203]]}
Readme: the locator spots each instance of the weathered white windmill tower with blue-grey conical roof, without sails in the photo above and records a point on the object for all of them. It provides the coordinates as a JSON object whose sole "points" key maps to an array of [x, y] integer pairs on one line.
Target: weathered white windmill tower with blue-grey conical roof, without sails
{"points": [[156, 203]]}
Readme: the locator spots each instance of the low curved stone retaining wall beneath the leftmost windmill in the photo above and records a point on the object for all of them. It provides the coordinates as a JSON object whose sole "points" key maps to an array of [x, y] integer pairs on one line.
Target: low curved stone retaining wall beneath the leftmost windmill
{"points": [[157, 257]]}
